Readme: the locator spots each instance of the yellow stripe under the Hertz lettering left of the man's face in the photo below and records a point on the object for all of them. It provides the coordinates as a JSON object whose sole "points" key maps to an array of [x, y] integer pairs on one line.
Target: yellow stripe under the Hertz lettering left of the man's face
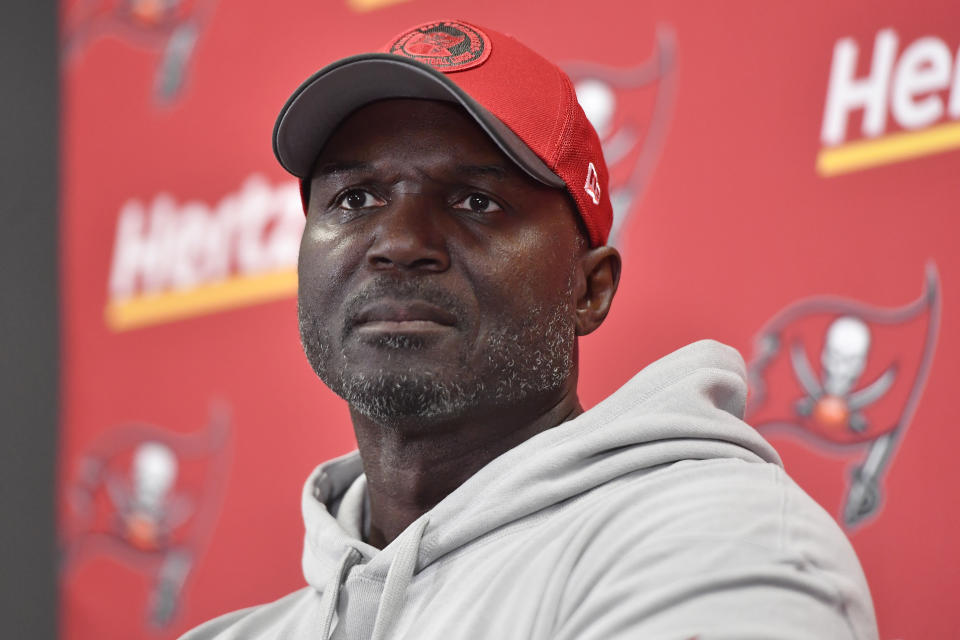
{"points": [[239, 291]]}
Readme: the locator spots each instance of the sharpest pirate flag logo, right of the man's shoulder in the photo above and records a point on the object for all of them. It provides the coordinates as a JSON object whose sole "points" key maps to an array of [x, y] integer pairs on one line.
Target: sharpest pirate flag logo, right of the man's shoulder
{"points": [[846, 377]]}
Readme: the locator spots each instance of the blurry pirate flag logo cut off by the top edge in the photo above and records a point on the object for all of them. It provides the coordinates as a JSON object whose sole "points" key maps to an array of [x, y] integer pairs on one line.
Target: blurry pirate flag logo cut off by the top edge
{"points": [[168, 27]]}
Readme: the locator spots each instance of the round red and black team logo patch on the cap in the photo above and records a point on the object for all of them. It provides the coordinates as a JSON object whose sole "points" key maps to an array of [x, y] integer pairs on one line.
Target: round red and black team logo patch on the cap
{"points": [[446, 46]]}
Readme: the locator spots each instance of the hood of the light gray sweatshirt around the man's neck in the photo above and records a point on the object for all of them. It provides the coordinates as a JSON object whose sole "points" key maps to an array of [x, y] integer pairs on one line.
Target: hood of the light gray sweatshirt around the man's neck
{"points": [[686, 406]]}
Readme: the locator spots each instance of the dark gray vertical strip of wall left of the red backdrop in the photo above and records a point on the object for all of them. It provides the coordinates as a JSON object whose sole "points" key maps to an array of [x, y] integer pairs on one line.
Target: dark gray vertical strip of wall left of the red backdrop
{"points": [[28, 317]]}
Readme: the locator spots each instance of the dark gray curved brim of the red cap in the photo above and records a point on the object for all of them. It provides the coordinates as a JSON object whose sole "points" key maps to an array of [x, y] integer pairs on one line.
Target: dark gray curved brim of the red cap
{"points": [[321, 103]]}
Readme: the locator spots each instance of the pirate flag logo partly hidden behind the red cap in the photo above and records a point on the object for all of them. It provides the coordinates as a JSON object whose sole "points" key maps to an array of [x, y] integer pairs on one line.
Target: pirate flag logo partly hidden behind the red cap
{"points": [[630, 108]]}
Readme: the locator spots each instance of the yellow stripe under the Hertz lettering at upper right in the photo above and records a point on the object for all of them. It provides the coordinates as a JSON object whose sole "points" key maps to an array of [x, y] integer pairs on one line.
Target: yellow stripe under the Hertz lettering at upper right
{"points": [[895, 147]]}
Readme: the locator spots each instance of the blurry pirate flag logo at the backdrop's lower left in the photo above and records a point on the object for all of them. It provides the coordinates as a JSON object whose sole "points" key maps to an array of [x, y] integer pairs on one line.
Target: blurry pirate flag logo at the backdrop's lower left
{"points": [[148, 498]]}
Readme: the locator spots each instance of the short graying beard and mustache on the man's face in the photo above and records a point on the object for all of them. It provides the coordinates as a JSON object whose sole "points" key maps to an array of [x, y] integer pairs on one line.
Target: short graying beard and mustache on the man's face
{"points": [[524, 357]]}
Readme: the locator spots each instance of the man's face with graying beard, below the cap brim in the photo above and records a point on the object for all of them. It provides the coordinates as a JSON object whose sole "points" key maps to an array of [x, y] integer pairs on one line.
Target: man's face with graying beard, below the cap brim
{"points": [[436, 278]]}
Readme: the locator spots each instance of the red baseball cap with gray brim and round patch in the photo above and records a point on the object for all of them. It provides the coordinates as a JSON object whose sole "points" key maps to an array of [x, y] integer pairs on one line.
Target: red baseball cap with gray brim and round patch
{"points": [[526, 104]]}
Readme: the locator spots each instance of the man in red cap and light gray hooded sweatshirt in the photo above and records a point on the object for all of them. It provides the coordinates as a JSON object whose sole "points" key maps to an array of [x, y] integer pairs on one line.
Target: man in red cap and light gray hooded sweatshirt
{"points": [[457, 211]]}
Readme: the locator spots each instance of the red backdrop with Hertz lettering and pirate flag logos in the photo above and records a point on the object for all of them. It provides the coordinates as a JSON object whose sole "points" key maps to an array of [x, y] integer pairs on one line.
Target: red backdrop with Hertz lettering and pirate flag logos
{"points": [[775, 169]]}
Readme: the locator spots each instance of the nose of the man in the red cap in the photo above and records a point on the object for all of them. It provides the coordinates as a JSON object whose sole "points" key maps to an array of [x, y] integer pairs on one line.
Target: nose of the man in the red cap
{"points": [[408, 236]]}
